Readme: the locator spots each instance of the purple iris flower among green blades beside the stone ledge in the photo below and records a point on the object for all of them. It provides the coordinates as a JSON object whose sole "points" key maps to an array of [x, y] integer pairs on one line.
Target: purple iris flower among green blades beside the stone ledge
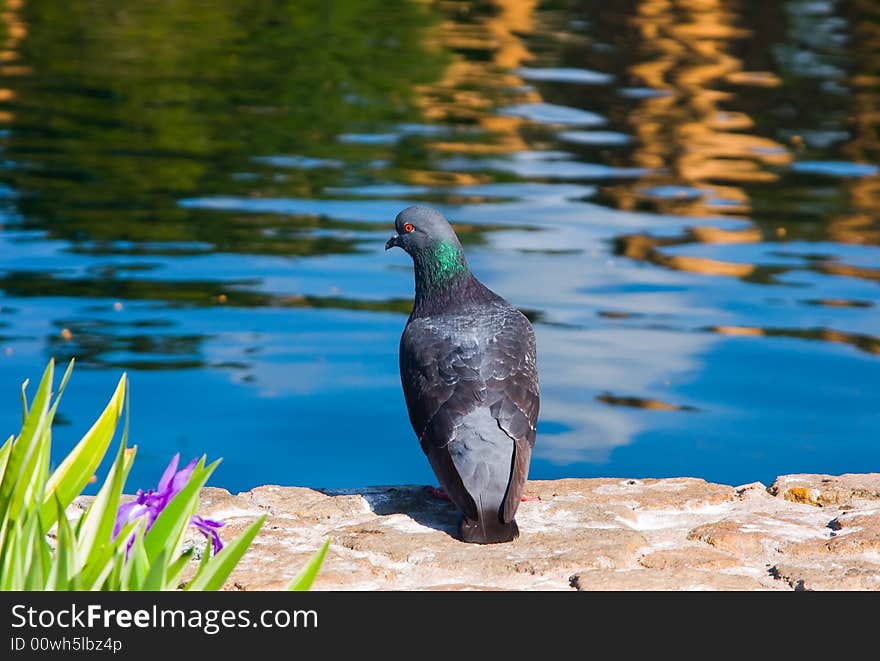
{"points": [[151, 502]]}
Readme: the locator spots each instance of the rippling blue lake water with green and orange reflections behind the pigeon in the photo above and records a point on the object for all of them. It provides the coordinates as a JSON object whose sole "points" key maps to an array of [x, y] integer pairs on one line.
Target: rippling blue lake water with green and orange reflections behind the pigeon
{"points": [[683, 196]]}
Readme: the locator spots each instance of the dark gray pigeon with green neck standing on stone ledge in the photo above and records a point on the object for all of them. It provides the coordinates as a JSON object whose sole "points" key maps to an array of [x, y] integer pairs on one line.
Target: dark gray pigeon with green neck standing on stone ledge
{"points": [[469, 374]]}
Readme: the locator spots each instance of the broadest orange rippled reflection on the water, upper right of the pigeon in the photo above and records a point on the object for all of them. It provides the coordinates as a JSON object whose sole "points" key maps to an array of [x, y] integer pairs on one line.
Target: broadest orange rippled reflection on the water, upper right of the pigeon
{"points": [[685, 133]]}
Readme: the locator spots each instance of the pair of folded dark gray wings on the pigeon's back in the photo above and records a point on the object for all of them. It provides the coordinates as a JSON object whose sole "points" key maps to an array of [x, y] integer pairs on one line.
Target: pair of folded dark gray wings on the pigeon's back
{"points": [[445, 378]]}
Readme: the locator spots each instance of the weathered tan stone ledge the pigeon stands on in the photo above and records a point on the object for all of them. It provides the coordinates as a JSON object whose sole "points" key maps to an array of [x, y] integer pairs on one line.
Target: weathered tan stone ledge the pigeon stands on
{"points": [[588, 534]]}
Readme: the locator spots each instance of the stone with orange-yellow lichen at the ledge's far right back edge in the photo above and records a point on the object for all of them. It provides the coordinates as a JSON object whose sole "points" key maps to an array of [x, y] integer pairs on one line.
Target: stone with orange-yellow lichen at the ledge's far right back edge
{"points": [[825, 490]]}
